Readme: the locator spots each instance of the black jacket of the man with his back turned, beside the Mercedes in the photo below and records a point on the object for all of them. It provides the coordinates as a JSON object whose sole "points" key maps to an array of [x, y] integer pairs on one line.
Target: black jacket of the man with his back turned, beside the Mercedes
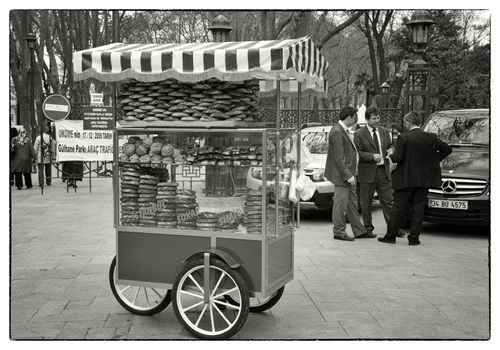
{"points": [[417, 155]]}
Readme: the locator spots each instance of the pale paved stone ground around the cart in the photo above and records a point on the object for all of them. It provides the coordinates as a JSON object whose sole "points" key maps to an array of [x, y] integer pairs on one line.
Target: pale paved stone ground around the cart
{"points": [[62, 245]]}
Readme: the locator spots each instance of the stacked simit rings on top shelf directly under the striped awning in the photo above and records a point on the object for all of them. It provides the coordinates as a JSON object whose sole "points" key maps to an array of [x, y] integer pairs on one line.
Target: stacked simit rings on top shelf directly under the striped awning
{"points": [[171, 100]]}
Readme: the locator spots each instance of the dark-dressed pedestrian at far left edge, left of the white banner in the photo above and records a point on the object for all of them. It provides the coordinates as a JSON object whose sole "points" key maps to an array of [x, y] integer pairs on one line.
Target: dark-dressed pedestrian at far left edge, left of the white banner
{"points": [[21, 163]]}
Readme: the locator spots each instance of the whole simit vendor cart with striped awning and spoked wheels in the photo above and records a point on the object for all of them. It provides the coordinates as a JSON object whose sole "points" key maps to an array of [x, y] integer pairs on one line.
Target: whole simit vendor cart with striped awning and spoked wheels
{"points": [[187, 109]]}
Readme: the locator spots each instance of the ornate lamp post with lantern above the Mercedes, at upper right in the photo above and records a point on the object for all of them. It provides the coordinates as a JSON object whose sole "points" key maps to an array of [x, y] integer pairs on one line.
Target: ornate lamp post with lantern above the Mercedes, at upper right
{"points": [[417, 95]]}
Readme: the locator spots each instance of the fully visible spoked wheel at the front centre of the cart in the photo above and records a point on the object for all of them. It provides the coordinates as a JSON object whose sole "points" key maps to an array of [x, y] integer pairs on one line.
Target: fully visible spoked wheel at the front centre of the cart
{"points": [[214, 318]]}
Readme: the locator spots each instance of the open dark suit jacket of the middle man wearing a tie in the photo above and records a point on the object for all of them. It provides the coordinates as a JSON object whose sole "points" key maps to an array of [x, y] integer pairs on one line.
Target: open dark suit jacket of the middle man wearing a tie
{"points": [[367, 167]]}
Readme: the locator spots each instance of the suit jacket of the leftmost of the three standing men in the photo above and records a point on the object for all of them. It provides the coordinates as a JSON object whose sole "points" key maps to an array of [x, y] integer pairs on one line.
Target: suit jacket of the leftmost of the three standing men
{"points": [[341, 160]]}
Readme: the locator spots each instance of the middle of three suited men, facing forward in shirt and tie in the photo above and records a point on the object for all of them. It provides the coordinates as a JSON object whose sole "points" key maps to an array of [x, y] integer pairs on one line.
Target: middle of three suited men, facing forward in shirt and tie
{"points": [[372, 142]]}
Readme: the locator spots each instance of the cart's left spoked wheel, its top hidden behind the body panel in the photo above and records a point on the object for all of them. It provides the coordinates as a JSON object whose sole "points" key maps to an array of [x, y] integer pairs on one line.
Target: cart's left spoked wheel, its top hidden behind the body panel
{"points": [[144, 301]]}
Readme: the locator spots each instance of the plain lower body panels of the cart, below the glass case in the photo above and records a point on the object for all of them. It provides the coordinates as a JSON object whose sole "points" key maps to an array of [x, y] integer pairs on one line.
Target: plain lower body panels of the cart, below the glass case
{"points": [[155, 258]]}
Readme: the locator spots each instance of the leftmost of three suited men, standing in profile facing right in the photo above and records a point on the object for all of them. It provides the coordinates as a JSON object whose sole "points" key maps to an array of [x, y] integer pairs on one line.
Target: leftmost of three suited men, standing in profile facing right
{"points": [[341, 170]]}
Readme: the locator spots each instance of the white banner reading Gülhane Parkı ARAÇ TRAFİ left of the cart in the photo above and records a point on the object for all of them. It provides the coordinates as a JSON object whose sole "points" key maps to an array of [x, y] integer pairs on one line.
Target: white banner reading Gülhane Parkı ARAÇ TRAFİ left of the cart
{"points": [[75, 143]]}
